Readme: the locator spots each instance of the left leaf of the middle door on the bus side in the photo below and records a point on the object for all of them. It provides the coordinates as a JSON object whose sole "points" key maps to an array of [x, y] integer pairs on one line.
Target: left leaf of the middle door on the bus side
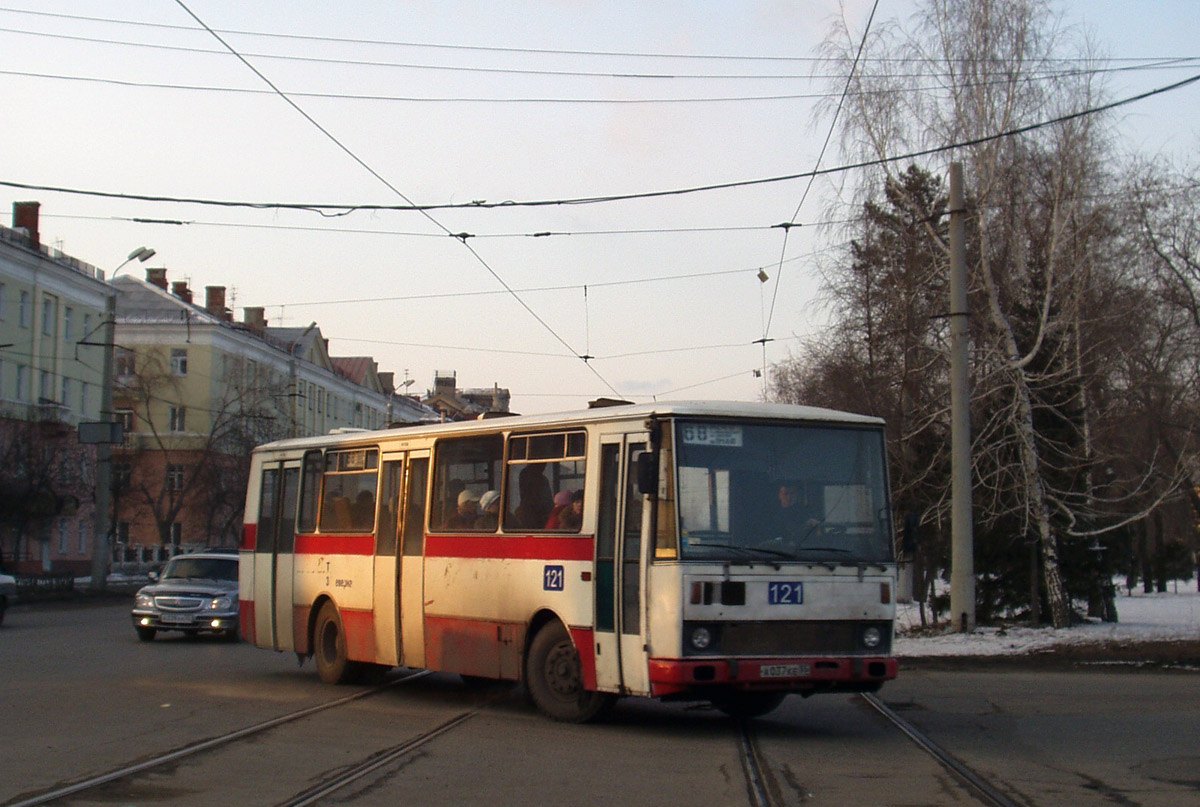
{"points": [[387, 570]]}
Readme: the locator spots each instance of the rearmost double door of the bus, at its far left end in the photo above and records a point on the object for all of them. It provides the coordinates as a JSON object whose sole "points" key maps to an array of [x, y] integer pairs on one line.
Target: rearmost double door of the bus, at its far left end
{"points": [[274, 566]]}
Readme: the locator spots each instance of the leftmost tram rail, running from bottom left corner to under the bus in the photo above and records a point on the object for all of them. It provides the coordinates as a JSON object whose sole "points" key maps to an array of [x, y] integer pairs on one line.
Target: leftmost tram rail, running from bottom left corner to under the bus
{"points": [[201, 748]]}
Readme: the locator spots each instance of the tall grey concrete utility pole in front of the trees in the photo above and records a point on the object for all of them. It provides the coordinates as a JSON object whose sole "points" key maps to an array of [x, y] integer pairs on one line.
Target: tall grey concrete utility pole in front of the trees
{"points": [[962, 529]]}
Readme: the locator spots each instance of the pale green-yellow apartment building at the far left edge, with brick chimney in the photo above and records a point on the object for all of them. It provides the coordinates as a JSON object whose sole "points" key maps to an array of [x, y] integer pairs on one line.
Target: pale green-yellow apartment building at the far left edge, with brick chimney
{"points": [[52, 358]]}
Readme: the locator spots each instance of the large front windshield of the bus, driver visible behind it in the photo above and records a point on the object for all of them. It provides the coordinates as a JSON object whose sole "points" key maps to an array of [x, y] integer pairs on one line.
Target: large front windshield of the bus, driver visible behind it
{"points": [[764, 493]]}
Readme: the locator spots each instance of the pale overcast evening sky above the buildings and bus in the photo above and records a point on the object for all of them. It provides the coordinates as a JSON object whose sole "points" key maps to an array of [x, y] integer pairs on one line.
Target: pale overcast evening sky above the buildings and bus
{"points": [[481, 103]]}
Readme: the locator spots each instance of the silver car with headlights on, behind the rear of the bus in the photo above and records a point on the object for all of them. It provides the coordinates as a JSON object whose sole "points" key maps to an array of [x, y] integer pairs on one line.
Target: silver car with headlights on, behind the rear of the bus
{"points": [[195, 594]]}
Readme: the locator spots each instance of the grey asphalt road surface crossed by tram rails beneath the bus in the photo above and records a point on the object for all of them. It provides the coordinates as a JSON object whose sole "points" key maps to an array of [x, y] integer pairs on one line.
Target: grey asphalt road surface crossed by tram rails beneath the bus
{"points": [[80, 696]]}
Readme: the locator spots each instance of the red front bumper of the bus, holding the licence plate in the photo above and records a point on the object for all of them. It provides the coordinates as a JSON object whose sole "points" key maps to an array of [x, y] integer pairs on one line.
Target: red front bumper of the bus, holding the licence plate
{"points": [[805, 676]]}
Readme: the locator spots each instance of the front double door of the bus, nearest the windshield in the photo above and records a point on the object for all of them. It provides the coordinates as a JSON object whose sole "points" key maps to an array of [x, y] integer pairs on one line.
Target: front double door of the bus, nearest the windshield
{"points": [[621, 552]]}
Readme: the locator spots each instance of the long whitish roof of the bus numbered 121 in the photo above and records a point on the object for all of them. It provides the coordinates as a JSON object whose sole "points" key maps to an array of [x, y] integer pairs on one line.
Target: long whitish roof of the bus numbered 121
{"points": [[739, 410]]}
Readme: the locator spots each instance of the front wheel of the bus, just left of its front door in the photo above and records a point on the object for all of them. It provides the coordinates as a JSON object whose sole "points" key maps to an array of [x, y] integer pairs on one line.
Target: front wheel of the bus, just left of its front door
{"points": [[555, 679]]}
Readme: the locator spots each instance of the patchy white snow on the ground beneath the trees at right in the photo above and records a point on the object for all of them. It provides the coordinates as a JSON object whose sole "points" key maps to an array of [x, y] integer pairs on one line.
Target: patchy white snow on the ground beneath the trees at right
{"points": [[1174, 615]]}
